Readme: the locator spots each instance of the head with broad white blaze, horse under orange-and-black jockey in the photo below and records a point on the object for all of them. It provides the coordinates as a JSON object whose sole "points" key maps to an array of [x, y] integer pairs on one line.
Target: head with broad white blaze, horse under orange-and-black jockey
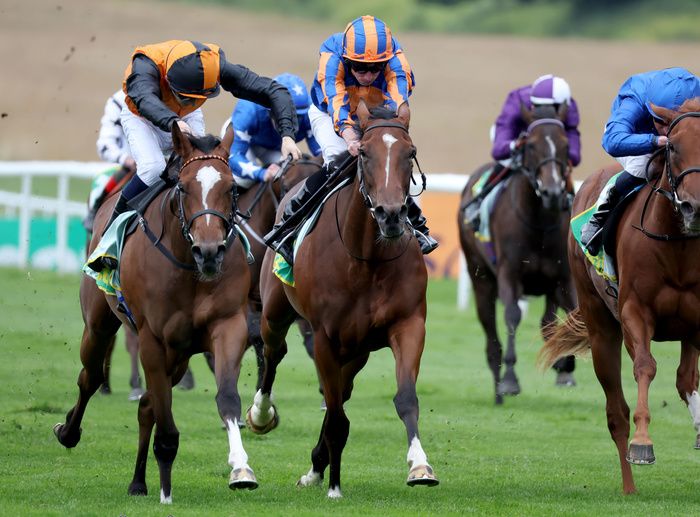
{"points": [[206, 201]]}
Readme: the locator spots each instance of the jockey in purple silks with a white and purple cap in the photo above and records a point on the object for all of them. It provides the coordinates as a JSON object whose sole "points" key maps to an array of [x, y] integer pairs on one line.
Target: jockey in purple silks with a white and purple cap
{"points": [[509, 127]]}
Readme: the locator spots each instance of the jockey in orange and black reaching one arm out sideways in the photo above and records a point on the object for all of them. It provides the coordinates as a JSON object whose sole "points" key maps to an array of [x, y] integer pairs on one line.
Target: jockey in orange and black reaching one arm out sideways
{"points": [[167, 83]]}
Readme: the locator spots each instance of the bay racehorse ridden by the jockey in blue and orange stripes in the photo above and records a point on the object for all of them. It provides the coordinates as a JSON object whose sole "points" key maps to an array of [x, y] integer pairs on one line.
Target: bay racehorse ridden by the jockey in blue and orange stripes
{"points": [[361, 283]]}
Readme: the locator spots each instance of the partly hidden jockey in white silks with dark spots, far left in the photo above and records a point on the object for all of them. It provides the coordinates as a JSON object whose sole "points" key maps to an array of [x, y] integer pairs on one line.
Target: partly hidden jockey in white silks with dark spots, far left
{"points": [[111, 147]]}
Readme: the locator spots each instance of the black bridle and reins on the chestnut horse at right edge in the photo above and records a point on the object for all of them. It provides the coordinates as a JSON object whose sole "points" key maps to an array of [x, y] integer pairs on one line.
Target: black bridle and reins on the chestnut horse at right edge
{"points": [[674, 182]]}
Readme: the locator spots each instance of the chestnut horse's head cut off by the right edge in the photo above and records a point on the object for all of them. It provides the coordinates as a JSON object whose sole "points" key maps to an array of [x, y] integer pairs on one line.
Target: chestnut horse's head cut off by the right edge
{"points": [[682, 128]]}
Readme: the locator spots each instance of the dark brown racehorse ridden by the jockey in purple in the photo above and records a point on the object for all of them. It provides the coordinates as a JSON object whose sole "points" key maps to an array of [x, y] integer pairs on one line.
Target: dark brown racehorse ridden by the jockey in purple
{"points": [[528, 229]]}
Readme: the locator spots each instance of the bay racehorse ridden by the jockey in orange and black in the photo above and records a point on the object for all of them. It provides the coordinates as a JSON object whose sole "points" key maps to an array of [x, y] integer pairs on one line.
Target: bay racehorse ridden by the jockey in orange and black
{"points": [[186, 293]]}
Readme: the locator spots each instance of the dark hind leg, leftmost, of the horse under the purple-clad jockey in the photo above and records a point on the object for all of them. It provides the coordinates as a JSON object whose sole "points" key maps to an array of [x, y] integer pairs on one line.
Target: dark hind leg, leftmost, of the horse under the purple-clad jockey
{"points": [[485, 293]]}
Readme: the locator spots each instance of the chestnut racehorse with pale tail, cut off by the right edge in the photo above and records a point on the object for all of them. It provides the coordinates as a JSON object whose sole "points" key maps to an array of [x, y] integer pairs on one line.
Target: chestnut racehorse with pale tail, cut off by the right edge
{"points": [[658, 295]]}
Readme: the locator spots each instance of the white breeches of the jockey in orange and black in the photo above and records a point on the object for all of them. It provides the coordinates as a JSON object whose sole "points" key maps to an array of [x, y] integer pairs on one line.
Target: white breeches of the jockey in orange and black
{"points": [[149, 143]]}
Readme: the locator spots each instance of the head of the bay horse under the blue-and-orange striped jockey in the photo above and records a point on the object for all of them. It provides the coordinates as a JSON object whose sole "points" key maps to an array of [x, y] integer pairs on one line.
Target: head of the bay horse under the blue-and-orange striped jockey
{"points": [[384, 166]]}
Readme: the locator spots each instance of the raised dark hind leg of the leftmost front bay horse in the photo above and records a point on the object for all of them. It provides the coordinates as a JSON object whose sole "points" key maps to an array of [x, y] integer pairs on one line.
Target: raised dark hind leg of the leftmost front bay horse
{"points": [[101, 325]]}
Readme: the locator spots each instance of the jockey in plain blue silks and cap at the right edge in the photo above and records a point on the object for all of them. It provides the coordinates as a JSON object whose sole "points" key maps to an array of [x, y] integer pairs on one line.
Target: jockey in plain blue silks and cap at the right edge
{"points": [[633, 132]]}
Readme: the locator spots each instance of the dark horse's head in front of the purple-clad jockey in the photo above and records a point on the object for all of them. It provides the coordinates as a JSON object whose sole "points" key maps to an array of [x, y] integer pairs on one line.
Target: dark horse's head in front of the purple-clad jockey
{"points": [[545, 154]]}
